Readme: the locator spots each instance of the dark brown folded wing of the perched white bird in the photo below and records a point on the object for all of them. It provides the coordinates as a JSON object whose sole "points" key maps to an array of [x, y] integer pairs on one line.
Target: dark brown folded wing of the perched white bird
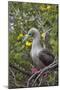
{"points": [[46, 57]]}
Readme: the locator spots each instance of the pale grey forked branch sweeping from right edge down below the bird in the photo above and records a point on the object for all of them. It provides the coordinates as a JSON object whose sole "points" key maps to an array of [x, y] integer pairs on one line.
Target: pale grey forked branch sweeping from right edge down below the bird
{"points": [[39, 73]]}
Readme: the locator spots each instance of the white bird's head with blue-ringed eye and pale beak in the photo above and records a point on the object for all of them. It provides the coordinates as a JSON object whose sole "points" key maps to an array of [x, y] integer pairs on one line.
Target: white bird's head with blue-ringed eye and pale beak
{"points": [[33, 32]]}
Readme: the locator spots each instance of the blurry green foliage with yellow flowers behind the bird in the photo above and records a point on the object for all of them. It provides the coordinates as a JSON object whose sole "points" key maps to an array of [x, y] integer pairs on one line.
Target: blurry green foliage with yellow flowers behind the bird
{"points": [[22, 17]]}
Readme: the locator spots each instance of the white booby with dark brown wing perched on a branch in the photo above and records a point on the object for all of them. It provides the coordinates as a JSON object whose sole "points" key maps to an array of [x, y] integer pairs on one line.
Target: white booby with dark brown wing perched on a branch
{"points": [[41, 57]]}
